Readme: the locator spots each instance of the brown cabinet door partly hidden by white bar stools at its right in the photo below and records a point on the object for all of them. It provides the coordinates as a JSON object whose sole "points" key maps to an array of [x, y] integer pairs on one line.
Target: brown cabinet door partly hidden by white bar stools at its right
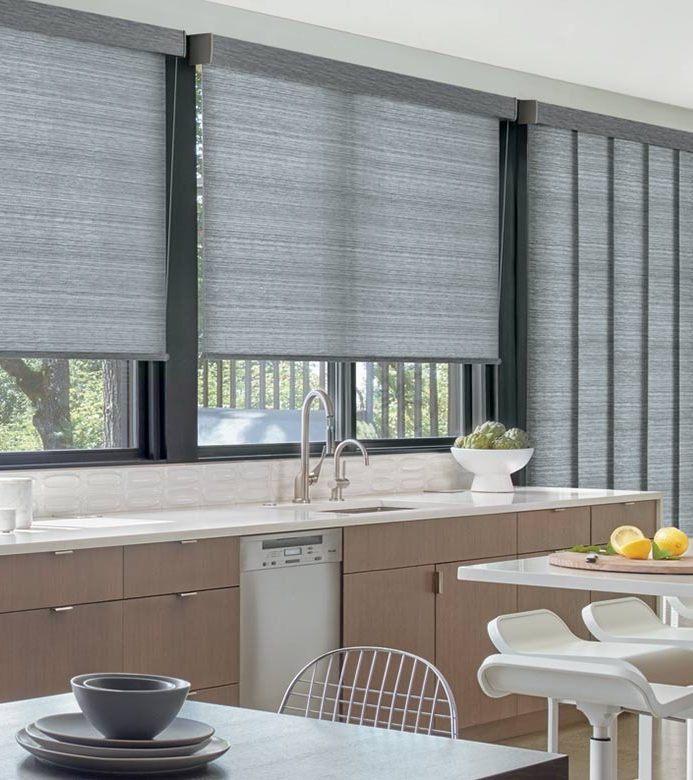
{"points": [[463, 610]]}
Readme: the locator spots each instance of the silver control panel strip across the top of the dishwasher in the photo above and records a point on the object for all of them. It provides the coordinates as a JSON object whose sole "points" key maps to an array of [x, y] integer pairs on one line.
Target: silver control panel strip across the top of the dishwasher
{"points": [[276, 551]]}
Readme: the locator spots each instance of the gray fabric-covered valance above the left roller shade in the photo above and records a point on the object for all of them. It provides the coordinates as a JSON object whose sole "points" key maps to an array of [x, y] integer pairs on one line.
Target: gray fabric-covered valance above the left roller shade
{"points": [[57, 21]]}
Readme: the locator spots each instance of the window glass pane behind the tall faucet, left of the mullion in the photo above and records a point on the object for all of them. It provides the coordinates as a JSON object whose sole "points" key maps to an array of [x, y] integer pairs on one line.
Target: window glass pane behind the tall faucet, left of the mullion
{"points": [[257, 401]]}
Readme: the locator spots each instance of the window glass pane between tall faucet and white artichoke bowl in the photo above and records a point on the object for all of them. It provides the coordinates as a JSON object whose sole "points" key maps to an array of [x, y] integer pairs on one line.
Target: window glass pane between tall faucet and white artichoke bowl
{"points": [[407, 400]]}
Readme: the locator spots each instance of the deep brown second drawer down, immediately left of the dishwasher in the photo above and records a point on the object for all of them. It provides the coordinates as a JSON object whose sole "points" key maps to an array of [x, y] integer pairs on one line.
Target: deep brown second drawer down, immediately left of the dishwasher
{"points": [[192, 636]]}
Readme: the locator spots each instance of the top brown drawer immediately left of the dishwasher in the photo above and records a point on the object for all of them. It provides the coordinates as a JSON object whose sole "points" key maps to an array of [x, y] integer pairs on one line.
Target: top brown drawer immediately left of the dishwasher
{"points": [[173, 567]]}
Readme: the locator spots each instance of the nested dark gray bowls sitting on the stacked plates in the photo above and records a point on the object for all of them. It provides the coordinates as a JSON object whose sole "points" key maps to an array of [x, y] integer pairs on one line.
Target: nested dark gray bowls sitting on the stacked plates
{"points": [[129, 706]]}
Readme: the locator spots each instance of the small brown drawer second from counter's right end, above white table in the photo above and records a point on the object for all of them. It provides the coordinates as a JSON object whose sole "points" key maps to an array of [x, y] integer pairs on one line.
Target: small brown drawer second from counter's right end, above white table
{"points": [[552, 529]]}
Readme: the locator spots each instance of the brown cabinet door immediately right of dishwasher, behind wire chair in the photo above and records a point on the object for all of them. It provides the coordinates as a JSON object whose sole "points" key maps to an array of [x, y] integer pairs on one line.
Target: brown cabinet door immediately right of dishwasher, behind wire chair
{"points": [[393, 608]]}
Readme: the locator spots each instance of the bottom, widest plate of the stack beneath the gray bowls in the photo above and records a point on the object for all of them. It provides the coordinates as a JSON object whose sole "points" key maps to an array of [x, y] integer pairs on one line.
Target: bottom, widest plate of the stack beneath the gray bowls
{"points": [[132, 766]]}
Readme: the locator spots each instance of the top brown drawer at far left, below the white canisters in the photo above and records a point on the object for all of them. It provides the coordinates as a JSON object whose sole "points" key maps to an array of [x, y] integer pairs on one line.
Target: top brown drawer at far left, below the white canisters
{"points": [[55, 579]]}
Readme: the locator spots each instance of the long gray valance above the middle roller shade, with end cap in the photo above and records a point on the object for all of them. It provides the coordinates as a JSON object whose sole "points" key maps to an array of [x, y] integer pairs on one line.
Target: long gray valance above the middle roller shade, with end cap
{"points": [[268, 61]]}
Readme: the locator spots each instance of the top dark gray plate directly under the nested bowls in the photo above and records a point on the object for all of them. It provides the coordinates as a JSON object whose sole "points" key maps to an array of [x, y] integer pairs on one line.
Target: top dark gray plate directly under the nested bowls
{"points": [[74, 727]]}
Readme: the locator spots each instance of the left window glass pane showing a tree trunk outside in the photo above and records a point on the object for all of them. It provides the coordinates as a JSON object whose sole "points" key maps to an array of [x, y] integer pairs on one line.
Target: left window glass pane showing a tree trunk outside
{"points": [[62, 404]]}
